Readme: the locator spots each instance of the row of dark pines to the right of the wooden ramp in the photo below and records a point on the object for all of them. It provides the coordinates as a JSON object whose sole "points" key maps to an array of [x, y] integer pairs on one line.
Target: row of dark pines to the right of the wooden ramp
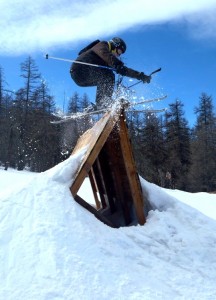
{"points": [[173, 155]]}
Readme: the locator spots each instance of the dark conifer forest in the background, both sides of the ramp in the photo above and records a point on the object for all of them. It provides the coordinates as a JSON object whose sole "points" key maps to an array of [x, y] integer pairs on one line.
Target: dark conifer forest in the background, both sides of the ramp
{"points": [[167, 151]]}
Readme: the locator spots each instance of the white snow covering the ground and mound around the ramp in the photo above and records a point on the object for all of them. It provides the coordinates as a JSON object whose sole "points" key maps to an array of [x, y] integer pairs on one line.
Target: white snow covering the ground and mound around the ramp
{"points": [[51, 248]]}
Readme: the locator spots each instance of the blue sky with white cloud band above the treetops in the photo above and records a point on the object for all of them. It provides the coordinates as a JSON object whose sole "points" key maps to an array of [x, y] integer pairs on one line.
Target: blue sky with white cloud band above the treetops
{"points": [[178, 36]]}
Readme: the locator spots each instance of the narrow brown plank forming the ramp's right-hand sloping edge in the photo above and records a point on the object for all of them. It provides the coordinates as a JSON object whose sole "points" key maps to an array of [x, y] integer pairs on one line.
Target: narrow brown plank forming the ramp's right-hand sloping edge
{"points": [[131, 170]]}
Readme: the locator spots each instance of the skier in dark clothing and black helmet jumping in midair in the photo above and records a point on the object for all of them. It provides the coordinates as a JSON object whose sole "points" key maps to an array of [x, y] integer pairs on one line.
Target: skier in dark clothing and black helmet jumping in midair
{"points": [[105, 54]]}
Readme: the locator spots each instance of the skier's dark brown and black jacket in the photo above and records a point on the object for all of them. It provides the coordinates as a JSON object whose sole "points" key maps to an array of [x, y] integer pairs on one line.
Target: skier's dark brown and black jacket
{"points": [[101, 54]]}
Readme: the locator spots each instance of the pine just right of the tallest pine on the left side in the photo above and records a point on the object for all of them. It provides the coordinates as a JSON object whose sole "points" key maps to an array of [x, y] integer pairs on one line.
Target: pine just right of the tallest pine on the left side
{"points": [[44, 142]]}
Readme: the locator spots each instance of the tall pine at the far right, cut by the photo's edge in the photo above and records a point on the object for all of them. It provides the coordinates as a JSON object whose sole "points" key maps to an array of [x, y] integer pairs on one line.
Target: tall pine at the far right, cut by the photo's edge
{"points": [[203, 175]]}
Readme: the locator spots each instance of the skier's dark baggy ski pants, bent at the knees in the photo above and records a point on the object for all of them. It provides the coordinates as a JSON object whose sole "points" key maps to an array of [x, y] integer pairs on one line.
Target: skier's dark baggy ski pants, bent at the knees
{"points": [[103, 79]]}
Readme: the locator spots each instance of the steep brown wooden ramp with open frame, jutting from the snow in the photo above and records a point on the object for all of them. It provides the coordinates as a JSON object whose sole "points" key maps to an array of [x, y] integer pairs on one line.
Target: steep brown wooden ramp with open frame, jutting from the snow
{"points": [[111, 169]]}
